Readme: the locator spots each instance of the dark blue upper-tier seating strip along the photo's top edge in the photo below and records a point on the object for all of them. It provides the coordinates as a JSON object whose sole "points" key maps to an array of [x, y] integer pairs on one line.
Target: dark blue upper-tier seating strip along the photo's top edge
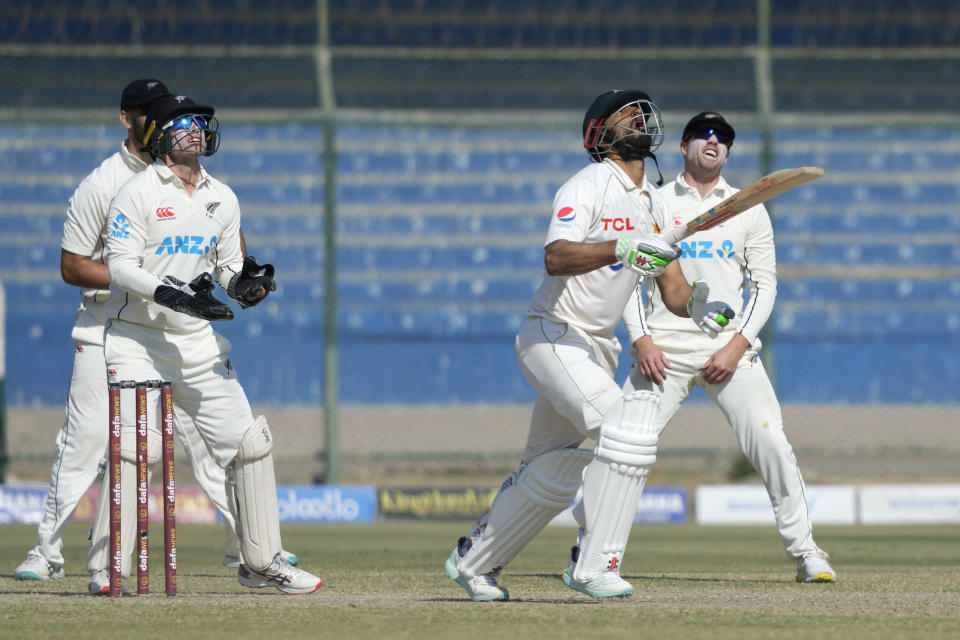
{"points": [[495, 23]]}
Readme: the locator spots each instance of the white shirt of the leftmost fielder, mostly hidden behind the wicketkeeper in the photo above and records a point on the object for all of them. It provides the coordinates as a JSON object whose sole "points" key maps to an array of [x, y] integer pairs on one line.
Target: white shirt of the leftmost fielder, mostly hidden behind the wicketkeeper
{"points": [[85, 233]]}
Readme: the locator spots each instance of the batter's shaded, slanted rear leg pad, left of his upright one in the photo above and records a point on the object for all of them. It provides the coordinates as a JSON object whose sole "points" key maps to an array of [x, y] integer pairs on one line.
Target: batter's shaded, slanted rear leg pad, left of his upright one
{"points": [[528, 501]]}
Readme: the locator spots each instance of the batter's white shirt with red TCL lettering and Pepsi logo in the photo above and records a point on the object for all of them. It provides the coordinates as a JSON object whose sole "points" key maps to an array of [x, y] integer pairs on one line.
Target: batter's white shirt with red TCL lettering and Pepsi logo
{"points": [[599, 203]]}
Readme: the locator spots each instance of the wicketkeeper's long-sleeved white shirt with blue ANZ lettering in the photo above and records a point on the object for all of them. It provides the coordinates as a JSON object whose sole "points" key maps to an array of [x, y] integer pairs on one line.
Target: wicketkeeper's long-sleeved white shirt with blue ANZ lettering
{"points": [[155, 228]]}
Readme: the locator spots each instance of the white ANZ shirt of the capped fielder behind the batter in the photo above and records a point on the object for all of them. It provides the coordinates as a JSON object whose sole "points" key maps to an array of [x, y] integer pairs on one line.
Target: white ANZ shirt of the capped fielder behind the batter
{"points": [[725, 256]]}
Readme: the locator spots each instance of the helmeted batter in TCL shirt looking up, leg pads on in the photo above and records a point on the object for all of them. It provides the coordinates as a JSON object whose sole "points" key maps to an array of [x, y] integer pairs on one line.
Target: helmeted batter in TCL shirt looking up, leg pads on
{"points": [[598, 248]]}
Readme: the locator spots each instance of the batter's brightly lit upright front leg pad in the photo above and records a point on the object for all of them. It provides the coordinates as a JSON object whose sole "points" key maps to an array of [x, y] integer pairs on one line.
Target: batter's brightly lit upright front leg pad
{"points": [[613, 482]]}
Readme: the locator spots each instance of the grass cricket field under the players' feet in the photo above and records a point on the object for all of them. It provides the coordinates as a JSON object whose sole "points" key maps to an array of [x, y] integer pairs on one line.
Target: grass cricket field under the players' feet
{"points": [[386, 581]]}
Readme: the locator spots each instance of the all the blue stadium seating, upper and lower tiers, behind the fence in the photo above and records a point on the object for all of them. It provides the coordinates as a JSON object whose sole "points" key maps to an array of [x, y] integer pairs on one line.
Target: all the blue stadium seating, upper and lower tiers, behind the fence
{"points": [[440, 228]]}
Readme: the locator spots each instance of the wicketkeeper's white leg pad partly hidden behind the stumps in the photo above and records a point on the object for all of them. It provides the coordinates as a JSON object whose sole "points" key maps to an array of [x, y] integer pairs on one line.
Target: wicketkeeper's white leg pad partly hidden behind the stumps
{"points": [[98, 557]]}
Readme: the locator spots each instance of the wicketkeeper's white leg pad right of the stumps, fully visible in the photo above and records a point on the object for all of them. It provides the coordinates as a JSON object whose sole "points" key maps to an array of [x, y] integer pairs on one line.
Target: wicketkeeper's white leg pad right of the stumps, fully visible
{"points": [[252, 495]]}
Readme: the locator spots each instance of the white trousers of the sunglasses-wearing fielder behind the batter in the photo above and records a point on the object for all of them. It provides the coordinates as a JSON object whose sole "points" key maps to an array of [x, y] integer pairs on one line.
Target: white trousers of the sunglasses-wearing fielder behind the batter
{"points": [[748, 401]]}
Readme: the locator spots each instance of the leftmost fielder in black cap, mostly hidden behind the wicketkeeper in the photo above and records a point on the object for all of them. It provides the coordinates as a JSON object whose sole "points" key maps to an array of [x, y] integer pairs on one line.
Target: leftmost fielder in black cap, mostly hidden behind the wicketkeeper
{"points": [[82, 440]]}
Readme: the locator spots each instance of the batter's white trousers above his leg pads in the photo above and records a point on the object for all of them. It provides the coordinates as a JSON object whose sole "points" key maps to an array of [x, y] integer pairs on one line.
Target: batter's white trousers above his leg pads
{"points": [[572, 372]]}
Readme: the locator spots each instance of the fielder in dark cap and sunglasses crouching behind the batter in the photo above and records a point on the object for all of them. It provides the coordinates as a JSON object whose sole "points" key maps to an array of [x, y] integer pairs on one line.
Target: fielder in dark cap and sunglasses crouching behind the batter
{"points": [[673, 357]]}
